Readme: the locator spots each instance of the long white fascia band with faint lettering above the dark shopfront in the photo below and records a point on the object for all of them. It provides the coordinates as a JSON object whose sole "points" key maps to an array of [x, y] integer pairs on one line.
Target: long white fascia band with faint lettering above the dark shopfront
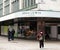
{"points": [[20, 14]]}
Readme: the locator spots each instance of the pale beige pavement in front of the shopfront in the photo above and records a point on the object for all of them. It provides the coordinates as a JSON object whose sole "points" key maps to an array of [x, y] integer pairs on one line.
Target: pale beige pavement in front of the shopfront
{"points": [[20, 44]]}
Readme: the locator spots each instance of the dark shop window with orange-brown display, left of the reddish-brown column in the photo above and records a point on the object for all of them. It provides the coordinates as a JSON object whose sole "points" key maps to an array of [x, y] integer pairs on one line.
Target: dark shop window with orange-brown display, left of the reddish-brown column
{"points": [[27, 29]]}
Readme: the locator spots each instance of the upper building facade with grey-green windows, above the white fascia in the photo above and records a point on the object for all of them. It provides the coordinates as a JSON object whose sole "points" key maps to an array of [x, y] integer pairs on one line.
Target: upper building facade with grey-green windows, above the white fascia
{"points": [[10, 6]]}
